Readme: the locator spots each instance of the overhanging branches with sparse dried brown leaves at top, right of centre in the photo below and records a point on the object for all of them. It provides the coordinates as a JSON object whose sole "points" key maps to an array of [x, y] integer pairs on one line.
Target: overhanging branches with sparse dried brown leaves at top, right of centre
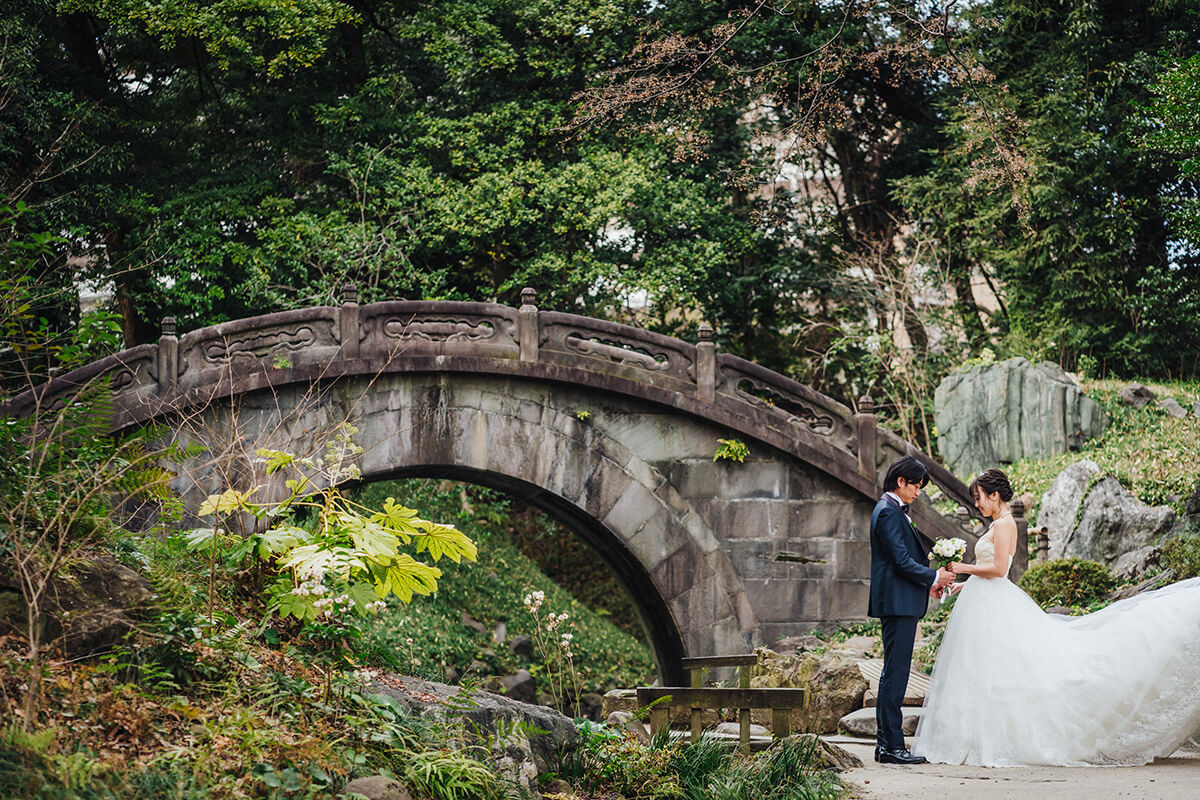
{"points": [[872, 67]]}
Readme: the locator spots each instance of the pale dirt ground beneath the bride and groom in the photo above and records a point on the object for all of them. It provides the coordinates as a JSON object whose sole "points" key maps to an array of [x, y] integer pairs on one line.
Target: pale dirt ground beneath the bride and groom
{"points": [[1167, 779]]}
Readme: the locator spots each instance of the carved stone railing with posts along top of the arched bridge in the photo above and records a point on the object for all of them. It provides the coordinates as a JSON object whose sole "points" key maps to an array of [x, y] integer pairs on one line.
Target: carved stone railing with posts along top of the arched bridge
{"points": [[329, 342]]}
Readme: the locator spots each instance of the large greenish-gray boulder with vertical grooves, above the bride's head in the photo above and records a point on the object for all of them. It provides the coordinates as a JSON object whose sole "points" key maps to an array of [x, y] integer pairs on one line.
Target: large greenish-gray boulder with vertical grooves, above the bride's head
{"points": [[1000, 413]]}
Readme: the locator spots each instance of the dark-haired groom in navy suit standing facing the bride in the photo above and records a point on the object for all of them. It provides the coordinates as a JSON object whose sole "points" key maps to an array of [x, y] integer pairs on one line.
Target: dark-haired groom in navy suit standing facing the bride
{"points": [[902, 584]]}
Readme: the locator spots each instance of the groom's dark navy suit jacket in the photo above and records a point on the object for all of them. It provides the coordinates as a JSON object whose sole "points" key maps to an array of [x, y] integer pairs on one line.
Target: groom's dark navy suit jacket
{"points": [[901, 572]]}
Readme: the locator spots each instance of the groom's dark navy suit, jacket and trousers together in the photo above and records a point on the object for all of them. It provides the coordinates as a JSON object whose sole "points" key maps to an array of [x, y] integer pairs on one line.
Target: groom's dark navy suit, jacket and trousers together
{"points": [[901, 582]]}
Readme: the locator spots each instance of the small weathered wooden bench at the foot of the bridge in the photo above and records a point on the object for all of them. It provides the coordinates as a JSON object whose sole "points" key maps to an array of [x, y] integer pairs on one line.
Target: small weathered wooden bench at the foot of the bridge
{"points": [[743, 699]]}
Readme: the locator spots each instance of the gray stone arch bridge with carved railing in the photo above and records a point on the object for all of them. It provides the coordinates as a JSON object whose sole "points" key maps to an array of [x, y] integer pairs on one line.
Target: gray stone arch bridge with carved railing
{"points": [[609, 429]]}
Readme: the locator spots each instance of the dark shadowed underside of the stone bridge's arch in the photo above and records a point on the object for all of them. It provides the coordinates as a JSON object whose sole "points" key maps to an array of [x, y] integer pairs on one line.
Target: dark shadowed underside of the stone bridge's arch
{"points": [[655, 617]]}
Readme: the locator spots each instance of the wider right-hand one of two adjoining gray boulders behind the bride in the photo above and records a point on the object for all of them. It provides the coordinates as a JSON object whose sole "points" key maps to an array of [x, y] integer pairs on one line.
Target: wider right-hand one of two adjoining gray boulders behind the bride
{"points": [[1114, 524]]}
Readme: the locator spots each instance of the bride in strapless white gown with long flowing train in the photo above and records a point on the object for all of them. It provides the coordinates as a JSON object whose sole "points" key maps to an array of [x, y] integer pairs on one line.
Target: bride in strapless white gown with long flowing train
{"points": [[1016, 687]]}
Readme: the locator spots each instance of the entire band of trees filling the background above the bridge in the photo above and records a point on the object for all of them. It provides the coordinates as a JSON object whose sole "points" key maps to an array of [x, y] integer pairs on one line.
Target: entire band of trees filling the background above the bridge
{"points": [[799, 176]]}
